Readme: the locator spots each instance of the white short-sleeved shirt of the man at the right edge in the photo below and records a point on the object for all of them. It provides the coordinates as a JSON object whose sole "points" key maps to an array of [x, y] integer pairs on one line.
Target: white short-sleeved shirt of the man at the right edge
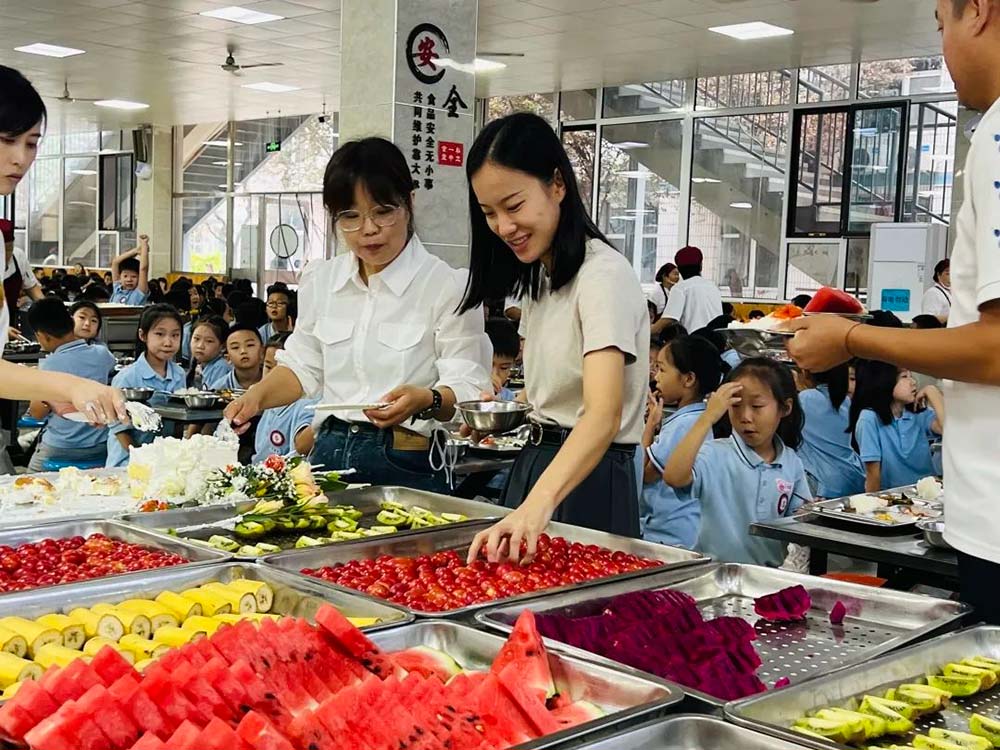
{"points": [[971, 469]]}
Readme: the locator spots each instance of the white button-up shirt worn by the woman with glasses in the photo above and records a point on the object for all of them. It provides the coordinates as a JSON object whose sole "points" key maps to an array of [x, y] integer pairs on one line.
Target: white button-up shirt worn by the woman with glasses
{"points": [[354, 343]]}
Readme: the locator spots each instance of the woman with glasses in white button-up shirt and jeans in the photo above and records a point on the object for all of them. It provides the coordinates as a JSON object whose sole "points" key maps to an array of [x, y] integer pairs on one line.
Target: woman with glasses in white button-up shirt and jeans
{"points": [[377, 331]]}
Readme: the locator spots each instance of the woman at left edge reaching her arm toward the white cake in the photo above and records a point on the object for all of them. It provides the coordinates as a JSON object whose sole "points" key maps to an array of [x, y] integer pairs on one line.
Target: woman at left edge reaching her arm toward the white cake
{"points": [[22, 121]]}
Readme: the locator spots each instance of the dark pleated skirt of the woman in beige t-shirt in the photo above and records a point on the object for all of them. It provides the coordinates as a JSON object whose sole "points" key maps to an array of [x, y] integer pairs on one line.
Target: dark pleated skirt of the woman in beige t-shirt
{"points": [[607, 500]]}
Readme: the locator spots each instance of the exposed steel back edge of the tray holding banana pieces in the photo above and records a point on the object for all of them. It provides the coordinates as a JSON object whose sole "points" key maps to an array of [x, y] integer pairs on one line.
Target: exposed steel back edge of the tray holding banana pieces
{"points": [[293, 595]]}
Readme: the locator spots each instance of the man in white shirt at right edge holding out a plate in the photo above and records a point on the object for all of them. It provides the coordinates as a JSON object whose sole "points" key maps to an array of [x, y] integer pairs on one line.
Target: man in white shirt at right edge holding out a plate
{"points": [[968, 351]]}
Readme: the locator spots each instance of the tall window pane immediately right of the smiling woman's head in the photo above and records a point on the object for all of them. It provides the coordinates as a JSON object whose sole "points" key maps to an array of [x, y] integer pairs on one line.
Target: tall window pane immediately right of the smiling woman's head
{"points": [[640, 199]]}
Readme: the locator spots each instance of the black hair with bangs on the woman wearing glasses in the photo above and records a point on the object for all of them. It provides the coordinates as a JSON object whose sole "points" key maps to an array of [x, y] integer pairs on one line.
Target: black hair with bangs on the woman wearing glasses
{"points": [[376, 164]]}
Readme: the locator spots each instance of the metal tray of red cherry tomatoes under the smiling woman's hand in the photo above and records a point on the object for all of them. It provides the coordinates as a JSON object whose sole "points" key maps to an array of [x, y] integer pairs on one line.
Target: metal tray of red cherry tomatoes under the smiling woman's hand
{"points": [[425, 572]]}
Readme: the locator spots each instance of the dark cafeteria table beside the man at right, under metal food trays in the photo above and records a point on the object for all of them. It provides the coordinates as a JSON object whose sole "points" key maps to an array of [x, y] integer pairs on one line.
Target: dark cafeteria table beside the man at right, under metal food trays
{"points": [[901, 554]]}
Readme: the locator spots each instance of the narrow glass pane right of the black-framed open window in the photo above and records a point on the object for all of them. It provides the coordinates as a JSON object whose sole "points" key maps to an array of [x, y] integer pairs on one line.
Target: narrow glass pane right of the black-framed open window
{"points": [[930, 163]]}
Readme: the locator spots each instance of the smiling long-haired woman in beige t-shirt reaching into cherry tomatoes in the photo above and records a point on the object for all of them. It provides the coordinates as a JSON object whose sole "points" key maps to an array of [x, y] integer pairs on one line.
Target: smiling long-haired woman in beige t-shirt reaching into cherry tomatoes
{"points": [[586, 332]]}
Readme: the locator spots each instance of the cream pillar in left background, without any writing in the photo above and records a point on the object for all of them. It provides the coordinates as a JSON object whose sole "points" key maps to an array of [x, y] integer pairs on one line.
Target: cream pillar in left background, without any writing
{"points": [[154, 202]]}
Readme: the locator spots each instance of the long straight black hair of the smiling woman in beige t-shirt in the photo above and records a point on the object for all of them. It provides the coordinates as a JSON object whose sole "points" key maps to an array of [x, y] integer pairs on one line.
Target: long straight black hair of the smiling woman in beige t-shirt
{"points": [[526, 143]]}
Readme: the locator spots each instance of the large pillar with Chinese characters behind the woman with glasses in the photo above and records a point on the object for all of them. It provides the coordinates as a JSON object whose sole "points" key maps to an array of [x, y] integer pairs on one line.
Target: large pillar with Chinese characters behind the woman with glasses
{"points": [[407, 74]]}
